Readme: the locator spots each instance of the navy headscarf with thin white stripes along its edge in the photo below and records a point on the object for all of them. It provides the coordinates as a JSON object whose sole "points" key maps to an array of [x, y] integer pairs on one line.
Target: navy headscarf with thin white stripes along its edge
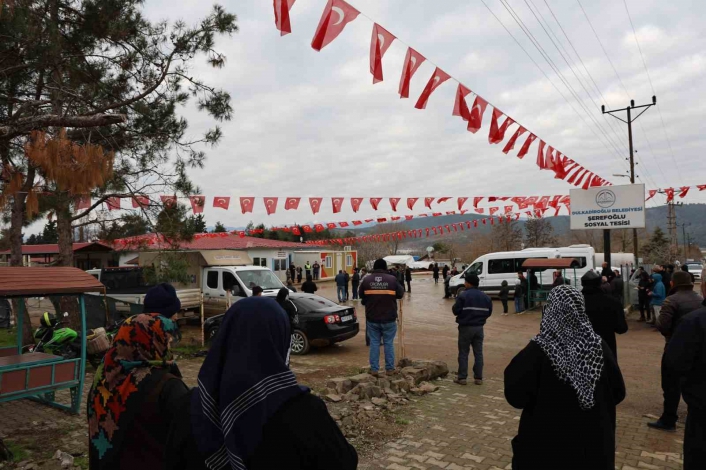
{"points": [[244, 380]]}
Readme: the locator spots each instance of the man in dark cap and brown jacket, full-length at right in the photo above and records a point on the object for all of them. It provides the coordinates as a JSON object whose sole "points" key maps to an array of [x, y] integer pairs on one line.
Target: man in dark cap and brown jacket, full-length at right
{"points": [[681, 301]]}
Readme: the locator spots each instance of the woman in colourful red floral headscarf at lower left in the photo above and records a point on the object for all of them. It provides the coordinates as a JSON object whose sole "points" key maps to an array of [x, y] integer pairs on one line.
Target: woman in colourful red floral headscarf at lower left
{"points": [[135, 393]]}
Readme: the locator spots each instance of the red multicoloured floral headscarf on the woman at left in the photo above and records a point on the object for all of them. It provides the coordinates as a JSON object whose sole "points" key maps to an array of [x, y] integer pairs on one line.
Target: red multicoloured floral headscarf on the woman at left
{"points": [[125, 377]]}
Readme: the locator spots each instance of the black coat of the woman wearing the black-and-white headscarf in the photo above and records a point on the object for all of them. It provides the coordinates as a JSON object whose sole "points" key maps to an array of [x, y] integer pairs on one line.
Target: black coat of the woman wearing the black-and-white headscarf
{"points": [[554, 433]]}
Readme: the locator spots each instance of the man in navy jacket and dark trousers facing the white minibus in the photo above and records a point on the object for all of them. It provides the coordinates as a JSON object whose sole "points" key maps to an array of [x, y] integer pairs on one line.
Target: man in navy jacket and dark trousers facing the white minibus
{"points": [[472, 309]]}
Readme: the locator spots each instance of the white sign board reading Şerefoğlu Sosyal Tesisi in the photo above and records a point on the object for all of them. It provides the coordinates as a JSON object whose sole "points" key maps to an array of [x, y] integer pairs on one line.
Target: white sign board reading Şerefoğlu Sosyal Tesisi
{"points": [[608, 207]]}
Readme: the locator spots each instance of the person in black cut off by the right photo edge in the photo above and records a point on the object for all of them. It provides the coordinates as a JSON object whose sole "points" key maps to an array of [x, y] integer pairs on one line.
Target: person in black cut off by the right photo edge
{"points": [[686, 358]]}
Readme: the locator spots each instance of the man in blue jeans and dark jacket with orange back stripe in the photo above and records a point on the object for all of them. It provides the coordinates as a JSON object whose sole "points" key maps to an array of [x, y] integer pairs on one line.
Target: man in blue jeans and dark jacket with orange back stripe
{"points": [[379, 292]]}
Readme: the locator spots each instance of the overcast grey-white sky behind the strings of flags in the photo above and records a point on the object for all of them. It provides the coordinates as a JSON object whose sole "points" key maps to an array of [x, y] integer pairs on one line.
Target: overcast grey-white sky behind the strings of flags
{"points": [[310, 123]]}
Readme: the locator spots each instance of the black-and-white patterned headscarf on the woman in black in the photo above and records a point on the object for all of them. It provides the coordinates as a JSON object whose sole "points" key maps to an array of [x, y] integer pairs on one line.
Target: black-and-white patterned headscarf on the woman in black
{"points": [[567, 338]]}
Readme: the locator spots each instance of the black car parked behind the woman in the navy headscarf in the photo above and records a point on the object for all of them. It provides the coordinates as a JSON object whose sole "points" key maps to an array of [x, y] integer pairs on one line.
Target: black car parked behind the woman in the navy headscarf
{"points": [[320, 322]]}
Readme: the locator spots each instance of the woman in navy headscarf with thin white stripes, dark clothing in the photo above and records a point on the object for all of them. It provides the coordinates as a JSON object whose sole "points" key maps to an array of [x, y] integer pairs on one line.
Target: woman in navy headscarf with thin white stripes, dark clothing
{"points": [[248, 411]]}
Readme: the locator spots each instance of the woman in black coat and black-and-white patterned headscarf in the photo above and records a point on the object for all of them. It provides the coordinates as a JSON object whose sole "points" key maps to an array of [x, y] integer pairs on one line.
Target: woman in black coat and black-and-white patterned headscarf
{"points": [[568, 384]]}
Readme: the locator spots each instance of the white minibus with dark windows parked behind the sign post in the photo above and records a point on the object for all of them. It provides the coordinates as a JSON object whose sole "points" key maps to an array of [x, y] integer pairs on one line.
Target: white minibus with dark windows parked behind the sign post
{"points": [[494, 268]]}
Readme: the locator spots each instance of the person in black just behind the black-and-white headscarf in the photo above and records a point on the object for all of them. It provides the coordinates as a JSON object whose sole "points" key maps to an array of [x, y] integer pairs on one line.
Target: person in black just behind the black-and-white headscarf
{"points": [[603, 310]]}
